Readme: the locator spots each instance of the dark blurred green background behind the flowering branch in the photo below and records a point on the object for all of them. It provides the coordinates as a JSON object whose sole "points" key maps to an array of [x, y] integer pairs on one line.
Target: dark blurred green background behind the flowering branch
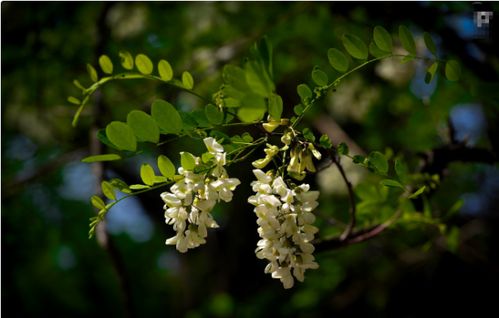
{"points": [[51, 268]]}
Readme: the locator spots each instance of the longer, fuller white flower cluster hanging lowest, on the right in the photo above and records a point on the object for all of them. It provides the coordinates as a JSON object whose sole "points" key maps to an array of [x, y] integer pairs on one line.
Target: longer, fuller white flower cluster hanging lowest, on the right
{"points": [[285, 221]]}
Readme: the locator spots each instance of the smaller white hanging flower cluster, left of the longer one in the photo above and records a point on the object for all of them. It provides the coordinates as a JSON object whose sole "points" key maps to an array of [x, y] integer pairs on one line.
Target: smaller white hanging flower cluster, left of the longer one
{"points": [[192, 198]]}
